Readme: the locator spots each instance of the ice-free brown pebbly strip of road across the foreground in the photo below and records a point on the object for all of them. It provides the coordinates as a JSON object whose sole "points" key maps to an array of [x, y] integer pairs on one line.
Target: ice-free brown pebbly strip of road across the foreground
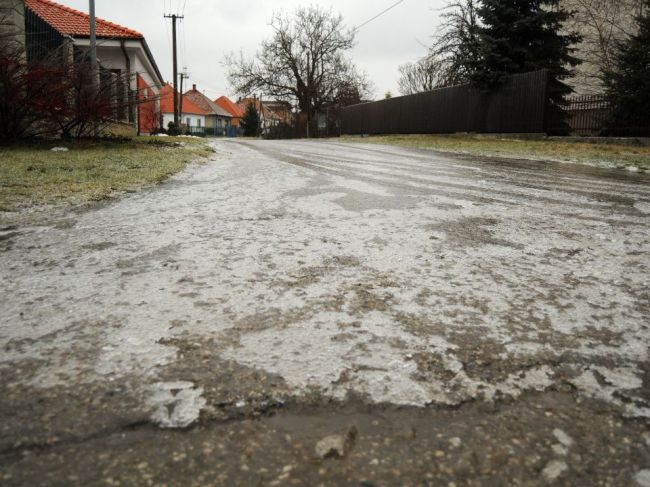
{"points": [[508, 443]]}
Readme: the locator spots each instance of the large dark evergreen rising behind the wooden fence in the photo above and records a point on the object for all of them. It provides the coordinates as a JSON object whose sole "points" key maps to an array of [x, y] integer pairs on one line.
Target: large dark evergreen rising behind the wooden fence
{"points": [[518, 36]]}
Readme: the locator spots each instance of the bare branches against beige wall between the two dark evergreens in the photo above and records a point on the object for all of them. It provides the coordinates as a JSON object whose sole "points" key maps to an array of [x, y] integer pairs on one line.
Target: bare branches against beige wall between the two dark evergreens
{"points": [[602, 25]]}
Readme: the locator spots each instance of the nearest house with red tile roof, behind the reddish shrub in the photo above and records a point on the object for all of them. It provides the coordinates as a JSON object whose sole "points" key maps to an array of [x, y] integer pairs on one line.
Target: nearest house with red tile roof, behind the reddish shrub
{"points": [[52, 27]]}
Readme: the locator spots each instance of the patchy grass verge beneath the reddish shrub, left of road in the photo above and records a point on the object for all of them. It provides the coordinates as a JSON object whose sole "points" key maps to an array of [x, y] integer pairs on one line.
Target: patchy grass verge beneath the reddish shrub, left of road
{"points": [[31, 174]]}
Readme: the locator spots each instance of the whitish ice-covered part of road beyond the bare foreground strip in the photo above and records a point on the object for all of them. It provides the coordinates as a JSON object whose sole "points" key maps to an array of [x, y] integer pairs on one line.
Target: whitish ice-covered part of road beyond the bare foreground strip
{"points": [[405, 276]]}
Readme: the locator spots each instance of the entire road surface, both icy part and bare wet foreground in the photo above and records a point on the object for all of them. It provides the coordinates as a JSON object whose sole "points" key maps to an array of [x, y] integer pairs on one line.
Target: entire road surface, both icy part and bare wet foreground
{"points": [[473, 322]]}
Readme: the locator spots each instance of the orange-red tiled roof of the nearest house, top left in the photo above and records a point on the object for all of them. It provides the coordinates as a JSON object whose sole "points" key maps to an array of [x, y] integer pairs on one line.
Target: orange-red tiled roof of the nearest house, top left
{"points": [[75, 23]]}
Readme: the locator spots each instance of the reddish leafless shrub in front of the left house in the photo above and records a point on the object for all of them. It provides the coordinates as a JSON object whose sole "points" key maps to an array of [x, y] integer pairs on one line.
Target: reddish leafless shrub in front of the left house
{"points": [[54, 95]]}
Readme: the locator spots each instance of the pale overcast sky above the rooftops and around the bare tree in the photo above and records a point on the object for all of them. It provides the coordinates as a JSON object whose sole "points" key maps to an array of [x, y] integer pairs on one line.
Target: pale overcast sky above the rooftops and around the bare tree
{"points": [[212, 28]]}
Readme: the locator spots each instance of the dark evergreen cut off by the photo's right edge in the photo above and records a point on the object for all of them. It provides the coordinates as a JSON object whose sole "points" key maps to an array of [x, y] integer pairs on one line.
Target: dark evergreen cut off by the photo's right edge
{"points": [[628, 83]]}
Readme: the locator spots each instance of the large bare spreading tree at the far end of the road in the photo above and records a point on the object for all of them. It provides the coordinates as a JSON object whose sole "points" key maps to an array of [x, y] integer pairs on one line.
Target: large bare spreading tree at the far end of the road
{"points": [[305, 60]]}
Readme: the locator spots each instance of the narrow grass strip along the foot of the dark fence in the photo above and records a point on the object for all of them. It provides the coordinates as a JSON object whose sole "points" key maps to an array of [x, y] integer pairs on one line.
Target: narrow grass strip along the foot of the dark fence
{"points": [[544, 150]]}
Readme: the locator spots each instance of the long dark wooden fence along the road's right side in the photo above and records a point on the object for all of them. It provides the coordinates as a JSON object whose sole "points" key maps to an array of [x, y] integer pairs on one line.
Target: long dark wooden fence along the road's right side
{"points": [[517, 107]]}
